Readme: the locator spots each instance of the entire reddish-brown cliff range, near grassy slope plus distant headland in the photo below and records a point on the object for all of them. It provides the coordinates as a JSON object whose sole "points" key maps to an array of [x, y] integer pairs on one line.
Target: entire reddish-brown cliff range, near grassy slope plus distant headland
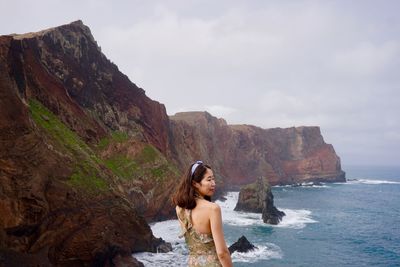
{"points": [[86, 157]]}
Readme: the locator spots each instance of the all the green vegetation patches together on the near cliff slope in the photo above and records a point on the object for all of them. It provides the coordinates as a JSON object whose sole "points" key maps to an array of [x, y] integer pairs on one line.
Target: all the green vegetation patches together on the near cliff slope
{"points": [[149, 163]]}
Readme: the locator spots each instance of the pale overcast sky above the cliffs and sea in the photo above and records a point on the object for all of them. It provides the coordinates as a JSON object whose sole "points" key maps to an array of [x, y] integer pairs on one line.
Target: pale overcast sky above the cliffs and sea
{"points": [[332, 64]]}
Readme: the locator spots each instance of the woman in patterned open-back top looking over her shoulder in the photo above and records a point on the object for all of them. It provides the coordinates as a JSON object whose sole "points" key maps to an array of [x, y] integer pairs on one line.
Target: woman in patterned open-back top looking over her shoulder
{"points": [[201, 219]]}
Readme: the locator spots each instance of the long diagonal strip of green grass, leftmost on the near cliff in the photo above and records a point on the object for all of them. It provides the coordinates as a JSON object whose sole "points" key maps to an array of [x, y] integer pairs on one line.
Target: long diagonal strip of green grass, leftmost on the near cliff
{"points": [[86, 174]]}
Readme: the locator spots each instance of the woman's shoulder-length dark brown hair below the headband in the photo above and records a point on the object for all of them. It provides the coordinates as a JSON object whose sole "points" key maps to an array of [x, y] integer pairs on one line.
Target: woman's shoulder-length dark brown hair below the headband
{"points": [[185, 195]]}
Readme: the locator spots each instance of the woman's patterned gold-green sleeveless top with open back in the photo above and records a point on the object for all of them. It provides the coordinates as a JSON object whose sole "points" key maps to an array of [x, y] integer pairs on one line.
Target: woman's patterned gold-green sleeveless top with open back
{"points": [[201, 247]]}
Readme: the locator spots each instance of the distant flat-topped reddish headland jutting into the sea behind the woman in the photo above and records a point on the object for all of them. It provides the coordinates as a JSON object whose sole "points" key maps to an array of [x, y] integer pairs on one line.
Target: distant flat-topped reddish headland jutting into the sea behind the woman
{"points": [[241, 153]]}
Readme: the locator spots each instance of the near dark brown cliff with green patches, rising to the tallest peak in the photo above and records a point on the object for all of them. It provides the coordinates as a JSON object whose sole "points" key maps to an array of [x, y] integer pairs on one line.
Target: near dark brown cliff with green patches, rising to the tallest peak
{"points": [[67, 177]]}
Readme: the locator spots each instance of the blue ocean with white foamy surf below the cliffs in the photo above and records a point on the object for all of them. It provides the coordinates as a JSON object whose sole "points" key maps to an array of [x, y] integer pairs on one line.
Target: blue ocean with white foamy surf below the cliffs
{"points": [[341, 224]]}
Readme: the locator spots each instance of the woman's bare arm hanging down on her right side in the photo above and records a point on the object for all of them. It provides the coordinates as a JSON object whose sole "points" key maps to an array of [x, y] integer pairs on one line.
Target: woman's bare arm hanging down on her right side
{"points": [[218, 235]]}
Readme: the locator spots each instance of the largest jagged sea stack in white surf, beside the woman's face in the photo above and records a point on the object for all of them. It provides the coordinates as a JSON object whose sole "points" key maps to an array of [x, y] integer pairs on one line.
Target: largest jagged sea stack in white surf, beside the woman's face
{"points": [[257, 197]]}
